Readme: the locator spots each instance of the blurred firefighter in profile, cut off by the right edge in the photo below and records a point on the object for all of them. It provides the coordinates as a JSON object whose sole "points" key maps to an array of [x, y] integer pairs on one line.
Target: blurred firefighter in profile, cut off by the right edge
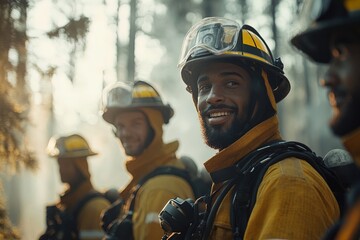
{"points": [[333, 38]]}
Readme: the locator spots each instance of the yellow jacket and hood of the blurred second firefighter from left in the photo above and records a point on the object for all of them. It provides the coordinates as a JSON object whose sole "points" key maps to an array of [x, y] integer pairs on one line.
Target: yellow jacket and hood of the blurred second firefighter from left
{"points": [[157, 191]]}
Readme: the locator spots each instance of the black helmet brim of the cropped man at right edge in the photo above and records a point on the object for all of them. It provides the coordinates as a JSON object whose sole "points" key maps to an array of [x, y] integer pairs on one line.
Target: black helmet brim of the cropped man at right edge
{"points": [[314, 41]]}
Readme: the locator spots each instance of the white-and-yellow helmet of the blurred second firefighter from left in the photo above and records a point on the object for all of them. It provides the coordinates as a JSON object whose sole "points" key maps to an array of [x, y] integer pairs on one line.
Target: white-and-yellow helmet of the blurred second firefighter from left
{"points": [[122, 97]]}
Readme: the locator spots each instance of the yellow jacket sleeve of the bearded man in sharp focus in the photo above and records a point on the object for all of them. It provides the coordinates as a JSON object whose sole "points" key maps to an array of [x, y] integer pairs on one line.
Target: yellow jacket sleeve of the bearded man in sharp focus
{"points": [[293, 202]]}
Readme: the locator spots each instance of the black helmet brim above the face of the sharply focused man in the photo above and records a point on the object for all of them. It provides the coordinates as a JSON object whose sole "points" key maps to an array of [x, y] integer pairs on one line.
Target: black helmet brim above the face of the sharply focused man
{"points": [[278, 81]]}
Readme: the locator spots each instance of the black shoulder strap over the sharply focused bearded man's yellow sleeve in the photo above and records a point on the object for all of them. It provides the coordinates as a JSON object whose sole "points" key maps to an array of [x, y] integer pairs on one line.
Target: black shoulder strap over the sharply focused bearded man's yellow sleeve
{"points": [[245, 191]]}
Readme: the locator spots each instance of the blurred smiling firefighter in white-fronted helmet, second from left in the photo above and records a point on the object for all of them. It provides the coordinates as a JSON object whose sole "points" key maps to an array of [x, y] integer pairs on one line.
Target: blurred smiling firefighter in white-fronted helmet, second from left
{"points": [[138, 114]]}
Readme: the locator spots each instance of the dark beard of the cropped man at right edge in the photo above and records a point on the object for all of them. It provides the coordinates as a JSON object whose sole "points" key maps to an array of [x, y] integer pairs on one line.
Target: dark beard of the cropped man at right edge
{"points": [[348, 119]]}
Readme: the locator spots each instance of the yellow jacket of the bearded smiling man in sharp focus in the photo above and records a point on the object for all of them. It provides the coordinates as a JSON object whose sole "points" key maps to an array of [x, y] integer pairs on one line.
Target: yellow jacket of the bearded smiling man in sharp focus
{"points": [[293, 200]]}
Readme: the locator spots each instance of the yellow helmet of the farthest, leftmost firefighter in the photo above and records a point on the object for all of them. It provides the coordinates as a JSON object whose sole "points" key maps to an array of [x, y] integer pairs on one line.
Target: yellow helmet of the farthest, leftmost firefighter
{"points": [[73, 146]]}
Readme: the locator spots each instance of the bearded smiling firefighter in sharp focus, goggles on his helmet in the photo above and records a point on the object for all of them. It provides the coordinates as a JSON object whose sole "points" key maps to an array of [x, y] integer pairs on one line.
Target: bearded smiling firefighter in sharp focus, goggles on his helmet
{"points": [[235, 85]]}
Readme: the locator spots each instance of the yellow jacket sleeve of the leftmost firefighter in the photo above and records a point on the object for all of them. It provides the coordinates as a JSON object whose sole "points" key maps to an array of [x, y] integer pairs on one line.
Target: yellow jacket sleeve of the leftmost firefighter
{"points": [[89, 219]]}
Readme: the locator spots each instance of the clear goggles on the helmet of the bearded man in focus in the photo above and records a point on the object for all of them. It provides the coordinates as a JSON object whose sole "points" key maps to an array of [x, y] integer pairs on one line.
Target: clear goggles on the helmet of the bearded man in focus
{"points": [[214, 35]]}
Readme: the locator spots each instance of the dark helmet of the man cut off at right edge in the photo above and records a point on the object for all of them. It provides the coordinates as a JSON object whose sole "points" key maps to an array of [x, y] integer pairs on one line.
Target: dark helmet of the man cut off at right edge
{"points": [[326, 16]]}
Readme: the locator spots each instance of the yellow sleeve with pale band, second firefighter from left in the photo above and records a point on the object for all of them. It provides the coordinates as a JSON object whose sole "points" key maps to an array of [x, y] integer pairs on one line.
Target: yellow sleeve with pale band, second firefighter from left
{"points": [[151, 199]]}
